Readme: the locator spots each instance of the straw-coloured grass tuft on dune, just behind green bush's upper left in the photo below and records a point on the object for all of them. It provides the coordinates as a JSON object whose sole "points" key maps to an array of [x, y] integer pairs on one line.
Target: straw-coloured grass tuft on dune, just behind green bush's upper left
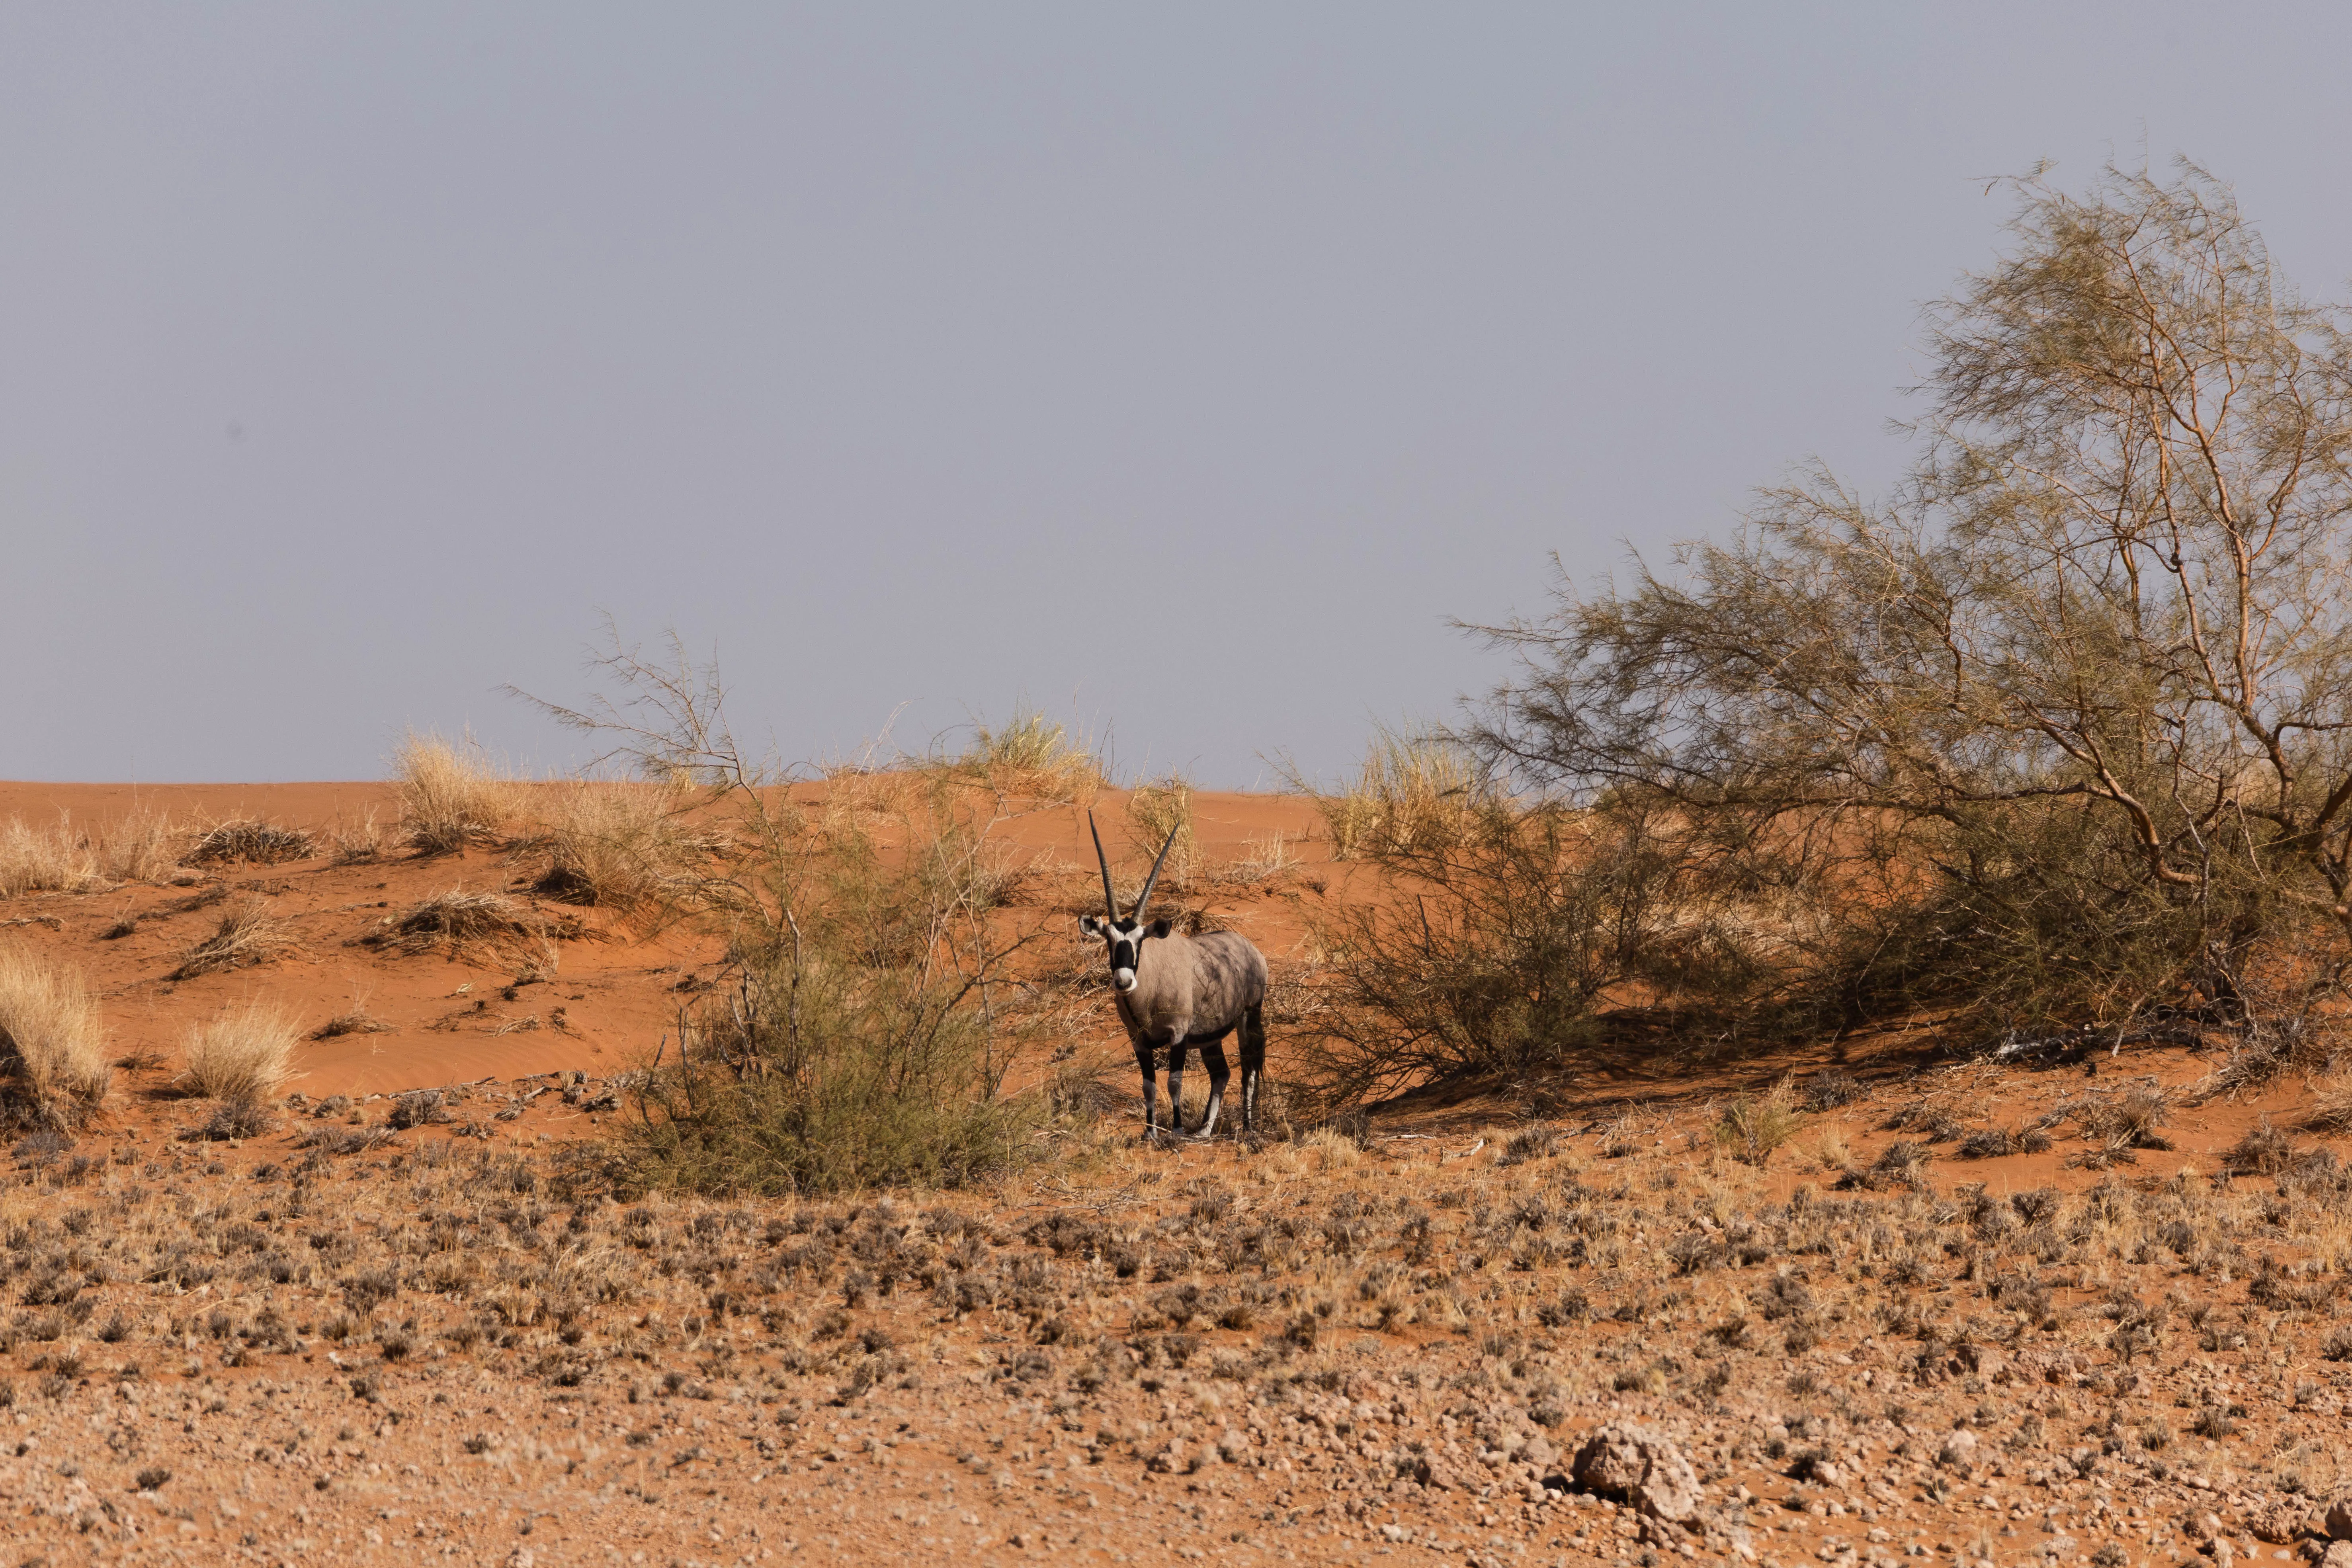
{"points": [[615, 845]]}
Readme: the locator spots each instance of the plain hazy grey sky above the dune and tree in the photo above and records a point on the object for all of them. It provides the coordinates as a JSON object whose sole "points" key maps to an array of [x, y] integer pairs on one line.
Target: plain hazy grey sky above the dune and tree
{"points": [[1180, 370]]}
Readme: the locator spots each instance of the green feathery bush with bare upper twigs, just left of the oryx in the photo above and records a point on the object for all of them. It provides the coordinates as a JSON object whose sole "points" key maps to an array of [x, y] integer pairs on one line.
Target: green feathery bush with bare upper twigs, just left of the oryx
{"points": [[871, 1017]]}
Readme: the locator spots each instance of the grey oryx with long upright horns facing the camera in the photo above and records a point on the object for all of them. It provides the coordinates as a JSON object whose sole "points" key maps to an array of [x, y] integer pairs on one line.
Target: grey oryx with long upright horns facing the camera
{"points": [[1182, 993]]}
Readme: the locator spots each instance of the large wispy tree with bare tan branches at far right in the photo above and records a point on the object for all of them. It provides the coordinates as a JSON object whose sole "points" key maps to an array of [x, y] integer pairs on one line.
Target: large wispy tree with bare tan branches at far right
{"points": [[2066, 723]]}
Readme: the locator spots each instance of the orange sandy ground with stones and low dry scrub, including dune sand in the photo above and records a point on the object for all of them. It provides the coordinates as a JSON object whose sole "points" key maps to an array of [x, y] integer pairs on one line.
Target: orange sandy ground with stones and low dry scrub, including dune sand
{"points": [[354, 1341]]}
